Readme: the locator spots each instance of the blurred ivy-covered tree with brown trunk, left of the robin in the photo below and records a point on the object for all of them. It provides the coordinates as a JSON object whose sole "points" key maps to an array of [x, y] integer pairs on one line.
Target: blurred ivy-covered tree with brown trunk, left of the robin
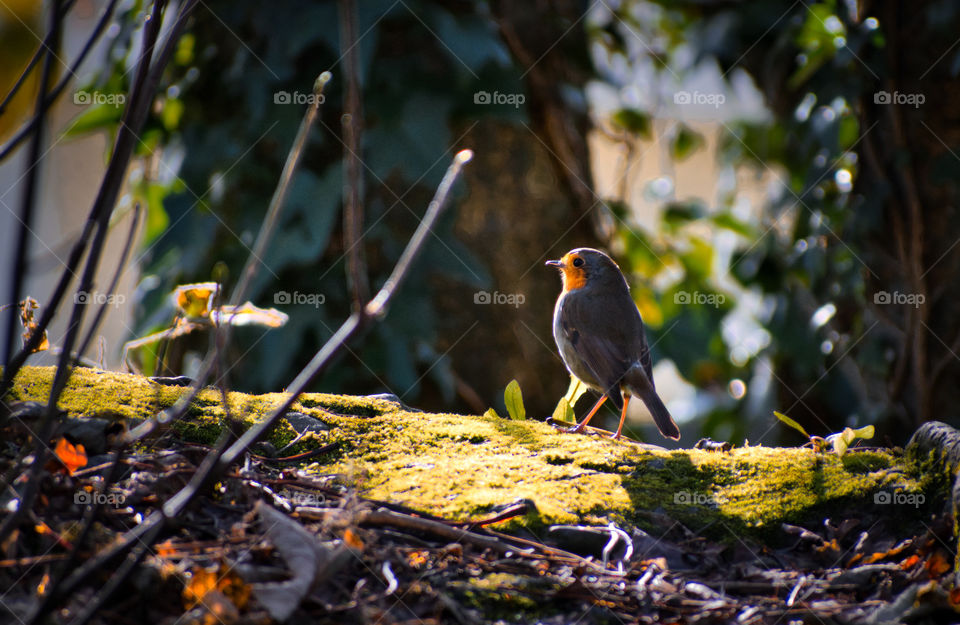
{"points": [[219, 137]]}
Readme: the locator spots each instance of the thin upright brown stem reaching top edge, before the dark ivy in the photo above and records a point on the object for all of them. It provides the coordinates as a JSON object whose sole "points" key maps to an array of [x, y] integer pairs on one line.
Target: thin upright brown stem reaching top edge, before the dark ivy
{"points": [[353, 195]]}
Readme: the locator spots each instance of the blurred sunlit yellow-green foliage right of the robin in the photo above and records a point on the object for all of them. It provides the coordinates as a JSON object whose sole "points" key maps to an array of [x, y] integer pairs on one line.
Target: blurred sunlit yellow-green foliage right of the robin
{"points": [[811, 261]]}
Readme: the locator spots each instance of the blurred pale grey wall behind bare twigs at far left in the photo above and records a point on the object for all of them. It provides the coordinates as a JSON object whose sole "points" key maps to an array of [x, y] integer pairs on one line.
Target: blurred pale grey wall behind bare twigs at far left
{"points": [[70, 173]]}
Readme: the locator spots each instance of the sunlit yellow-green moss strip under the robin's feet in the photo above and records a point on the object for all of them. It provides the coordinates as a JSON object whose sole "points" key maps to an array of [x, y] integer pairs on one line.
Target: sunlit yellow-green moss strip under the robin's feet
{"points": [[463, 466]]}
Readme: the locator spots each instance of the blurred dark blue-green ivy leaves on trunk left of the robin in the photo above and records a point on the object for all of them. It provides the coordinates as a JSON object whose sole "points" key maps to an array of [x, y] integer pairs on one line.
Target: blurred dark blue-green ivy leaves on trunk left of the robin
{"points": [[233, 99]]}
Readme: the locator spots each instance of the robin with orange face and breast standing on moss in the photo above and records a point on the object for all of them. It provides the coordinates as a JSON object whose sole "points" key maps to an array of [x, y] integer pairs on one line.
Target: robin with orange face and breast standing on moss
{"points": [[600, 335]]}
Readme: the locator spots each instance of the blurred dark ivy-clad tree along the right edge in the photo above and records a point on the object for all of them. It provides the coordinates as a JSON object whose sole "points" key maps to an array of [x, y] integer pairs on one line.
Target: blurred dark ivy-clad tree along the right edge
{"points": [[853, 254]]}
